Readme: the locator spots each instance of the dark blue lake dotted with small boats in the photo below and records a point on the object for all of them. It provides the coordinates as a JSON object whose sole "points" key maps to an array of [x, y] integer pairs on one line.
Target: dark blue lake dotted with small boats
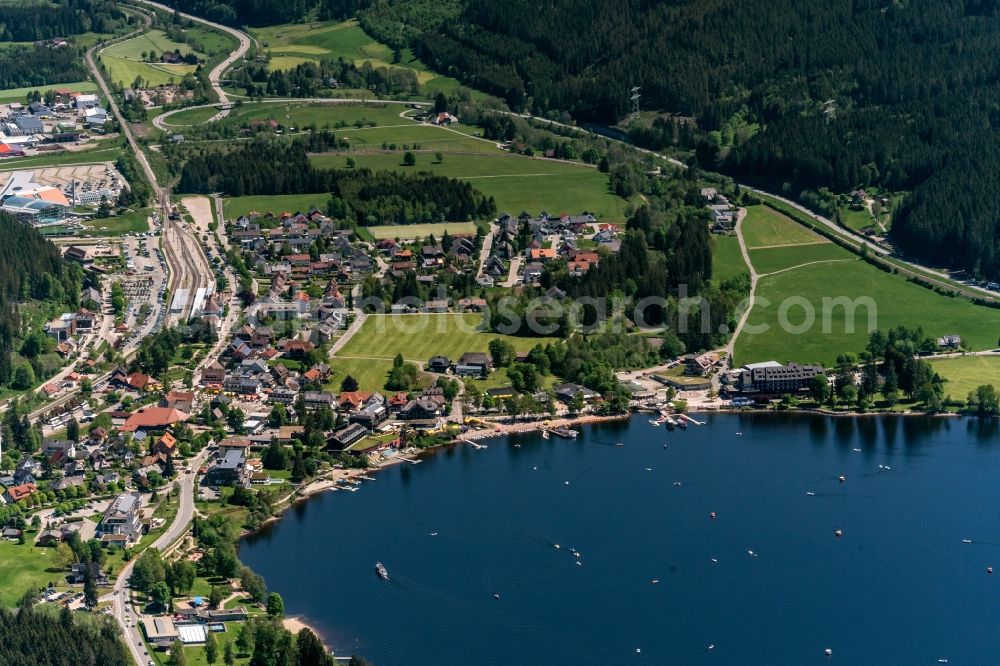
{"points": [[899, 587]]}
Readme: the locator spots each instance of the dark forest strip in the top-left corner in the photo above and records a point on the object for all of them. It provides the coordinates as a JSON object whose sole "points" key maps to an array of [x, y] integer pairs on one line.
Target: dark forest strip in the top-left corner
{"points": [[28, 22]]}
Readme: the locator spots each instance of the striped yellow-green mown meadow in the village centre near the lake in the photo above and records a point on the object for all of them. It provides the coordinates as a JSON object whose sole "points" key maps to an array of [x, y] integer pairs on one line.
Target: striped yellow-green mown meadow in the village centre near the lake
{"points": [[418, 337]]}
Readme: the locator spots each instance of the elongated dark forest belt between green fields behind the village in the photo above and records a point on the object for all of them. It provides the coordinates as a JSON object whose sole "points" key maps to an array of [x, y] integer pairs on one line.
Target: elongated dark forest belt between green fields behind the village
{"points": [[357, 196]]}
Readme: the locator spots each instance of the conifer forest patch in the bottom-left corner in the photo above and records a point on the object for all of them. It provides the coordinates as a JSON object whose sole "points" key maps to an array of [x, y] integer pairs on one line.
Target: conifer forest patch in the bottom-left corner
{"points": [[35, 637]]}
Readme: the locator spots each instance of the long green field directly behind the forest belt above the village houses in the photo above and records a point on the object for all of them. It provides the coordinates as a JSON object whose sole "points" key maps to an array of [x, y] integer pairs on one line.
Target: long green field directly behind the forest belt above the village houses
{"points": [[517, 183]]}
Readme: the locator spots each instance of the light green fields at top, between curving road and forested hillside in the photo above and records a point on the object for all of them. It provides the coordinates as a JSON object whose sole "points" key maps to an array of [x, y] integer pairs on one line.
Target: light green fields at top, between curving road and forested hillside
{"points": [[290, 44]]}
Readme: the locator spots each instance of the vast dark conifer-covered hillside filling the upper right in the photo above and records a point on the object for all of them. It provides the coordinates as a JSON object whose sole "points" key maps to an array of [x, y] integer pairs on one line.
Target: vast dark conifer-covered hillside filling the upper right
{"points": [[854, 93]]}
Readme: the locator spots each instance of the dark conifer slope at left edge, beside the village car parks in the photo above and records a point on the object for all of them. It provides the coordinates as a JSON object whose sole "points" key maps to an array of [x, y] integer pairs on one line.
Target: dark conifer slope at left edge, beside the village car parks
{"points": [[31, 269]]}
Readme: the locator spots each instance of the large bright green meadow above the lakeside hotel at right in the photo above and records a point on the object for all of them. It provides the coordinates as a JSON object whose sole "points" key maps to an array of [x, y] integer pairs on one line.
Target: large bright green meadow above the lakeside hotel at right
{"points": [[893, 302]]}
